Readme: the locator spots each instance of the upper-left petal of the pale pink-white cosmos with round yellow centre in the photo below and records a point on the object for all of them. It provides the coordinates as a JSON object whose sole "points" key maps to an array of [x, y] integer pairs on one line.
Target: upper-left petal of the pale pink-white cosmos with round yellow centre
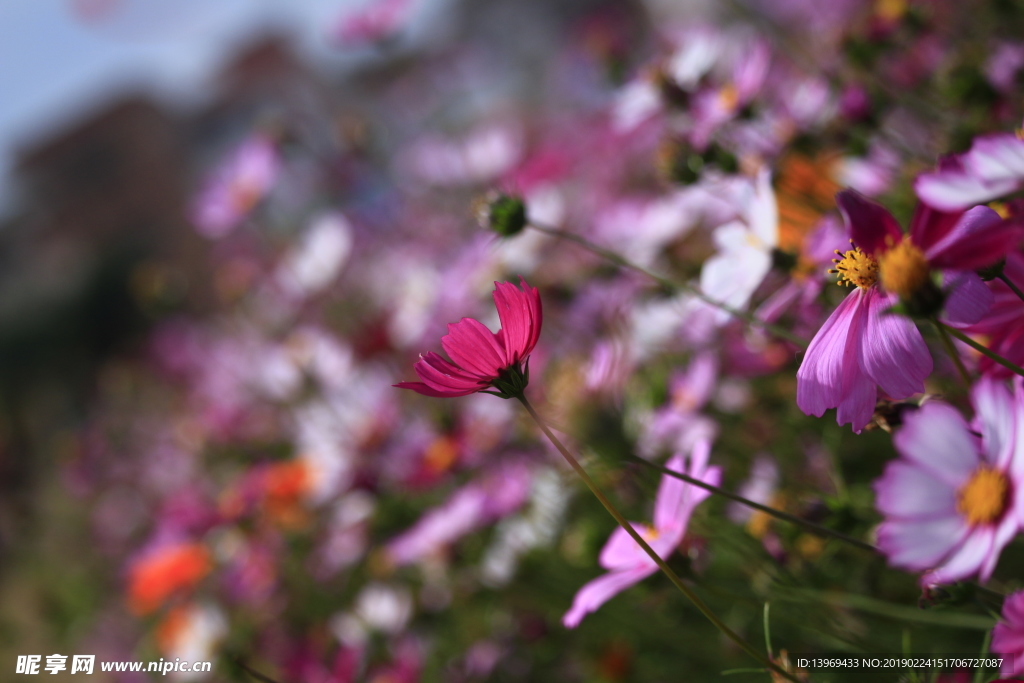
{"points": [[936, 439]]}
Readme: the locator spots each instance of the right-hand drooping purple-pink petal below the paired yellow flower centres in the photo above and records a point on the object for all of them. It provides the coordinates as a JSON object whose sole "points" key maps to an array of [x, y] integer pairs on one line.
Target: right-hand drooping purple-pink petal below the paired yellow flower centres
{"points": [[893, 354]]}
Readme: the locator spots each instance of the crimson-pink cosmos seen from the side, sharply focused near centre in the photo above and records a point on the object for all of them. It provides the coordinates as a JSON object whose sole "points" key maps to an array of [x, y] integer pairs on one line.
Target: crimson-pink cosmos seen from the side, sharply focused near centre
{"points": [[482, 359]]}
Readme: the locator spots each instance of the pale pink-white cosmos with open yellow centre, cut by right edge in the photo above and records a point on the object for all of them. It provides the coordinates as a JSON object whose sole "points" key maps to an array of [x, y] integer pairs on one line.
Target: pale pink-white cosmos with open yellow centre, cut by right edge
{"points": [[954, 500]]}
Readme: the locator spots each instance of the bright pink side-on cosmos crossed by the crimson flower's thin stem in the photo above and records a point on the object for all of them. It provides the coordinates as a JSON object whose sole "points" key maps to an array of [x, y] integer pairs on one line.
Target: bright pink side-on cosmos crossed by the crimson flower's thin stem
{"points": [[626, 562]]}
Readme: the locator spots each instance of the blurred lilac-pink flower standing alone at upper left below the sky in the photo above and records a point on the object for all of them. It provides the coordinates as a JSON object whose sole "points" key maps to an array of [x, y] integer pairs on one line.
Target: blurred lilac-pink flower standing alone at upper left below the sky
{"points": [[237, 187]]}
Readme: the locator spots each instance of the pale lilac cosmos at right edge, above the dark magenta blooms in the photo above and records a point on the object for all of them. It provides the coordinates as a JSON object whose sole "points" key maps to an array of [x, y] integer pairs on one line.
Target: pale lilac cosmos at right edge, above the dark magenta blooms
{"points": [[993, 167]]}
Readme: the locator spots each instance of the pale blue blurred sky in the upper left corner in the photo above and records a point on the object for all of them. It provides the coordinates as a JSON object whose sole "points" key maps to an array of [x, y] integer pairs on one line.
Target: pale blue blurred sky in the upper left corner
{"points": [[62, 59]]}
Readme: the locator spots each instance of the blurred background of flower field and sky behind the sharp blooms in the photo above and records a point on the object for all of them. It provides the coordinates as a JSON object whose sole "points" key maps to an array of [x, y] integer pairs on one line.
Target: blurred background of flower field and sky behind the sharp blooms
{"points": [[201, 455]]}
